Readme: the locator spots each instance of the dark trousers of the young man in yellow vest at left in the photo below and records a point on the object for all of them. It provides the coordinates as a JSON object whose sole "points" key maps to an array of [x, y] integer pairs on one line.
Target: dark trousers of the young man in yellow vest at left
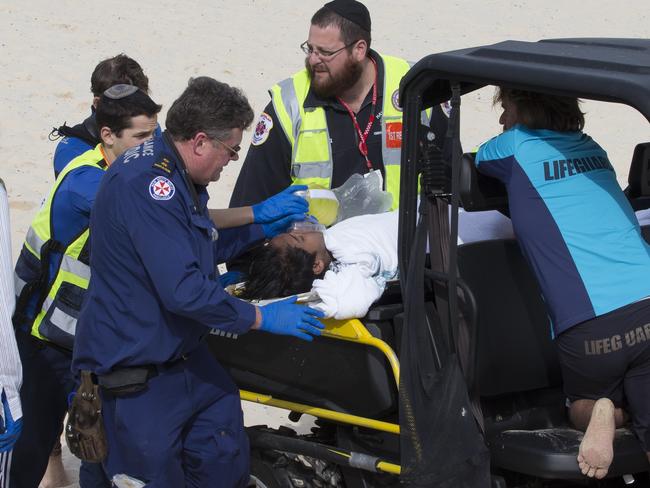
{"points": [[47, 382]]}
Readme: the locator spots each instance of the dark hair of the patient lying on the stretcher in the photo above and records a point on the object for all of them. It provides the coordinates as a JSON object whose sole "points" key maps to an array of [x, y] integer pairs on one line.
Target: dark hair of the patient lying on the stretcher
{"points": [[279, 272]]}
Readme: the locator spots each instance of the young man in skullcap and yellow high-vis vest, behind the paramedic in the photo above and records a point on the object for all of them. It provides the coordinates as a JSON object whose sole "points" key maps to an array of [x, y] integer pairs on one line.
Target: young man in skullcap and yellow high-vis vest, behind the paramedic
{"points": [[52, 276]]}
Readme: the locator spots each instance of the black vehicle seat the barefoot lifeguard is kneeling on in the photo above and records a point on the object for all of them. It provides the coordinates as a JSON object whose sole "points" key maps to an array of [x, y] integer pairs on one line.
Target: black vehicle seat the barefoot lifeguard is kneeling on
{"points": [[518, 375]]}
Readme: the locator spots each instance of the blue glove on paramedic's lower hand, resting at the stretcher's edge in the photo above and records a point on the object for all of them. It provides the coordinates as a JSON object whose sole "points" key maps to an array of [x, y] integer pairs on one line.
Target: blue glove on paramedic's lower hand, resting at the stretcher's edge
{"points": [[288, 318]]}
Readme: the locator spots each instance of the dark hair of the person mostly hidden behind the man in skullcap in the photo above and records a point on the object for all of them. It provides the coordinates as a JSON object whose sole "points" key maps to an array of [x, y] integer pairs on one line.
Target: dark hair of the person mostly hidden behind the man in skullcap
{"points": [[119, 69]]}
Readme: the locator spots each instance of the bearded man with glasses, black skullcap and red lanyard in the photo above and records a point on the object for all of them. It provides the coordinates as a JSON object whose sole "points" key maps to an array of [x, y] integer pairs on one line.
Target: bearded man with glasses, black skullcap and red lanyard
{"points": [[338, 116]]}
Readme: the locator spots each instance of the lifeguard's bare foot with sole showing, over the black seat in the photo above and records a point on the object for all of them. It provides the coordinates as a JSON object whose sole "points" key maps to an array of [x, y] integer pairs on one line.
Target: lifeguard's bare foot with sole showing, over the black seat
{"points": [[597, 447]]}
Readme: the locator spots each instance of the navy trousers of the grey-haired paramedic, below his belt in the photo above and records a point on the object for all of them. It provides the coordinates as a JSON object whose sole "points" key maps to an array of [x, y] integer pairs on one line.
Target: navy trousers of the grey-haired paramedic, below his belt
{"points": [[185, 429]]}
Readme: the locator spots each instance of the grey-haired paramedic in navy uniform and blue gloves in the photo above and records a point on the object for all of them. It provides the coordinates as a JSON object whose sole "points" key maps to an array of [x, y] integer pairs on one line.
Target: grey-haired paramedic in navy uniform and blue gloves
{"points": [[172, 414]]}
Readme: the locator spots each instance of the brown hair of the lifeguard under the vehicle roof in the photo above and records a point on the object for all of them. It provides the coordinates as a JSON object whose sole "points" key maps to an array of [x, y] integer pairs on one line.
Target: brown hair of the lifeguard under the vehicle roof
{"points": [[541, 111]]}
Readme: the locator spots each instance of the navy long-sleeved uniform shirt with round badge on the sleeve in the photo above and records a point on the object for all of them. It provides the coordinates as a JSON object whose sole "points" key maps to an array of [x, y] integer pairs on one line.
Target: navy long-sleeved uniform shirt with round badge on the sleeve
{"points": [[154, 291]]}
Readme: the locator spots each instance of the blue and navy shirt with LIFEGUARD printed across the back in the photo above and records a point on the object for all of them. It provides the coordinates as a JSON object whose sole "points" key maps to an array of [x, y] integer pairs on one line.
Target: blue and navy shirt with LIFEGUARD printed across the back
{"points": [[573, 222]]}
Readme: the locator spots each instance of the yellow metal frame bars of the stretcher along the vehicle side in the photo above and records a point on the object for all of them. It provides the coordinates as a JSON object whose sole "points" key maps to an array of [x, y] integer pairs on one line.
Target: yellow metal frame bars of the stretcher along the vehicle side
{"points": [[352, 331]]}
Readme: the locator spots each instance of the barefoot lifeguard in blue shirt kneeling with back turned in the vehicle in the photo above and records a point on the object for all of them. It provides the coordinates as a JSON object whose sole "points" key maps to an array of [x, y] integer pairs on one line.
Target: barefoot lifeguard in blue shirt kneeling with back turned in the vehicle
{"points": [[583, 243]]}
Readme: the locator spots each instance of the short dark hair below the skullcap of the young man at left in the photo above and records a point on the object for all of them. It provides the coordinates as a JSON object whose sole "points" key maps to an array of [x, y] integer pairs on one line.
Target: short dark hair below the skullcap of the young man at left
{"points": [[117, 114]]}
